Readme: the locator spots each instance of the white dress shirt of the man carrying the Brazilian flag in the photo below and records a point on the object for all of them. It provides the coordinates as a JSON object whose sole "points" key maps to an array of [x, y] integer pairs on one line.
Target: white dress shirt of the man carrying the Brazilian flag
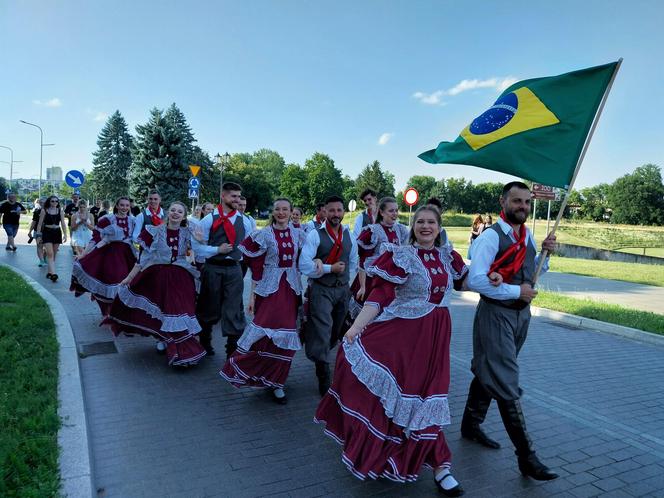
{"points": [[485, 248]]}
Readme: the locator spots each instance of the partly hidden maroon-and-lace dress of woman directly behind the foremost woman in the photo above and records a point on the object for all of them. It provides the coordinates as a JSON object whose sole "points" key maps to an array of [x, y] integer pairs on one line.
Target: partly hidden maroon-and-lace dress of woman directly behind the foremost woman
{"points": [[371, 244]]}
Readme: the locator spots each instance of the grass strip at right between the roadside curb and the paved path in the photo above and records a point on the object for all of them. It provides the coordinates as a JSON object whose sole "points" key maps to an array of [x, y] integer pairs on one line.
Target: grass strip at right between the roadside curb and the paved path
{"points": [[611, 313]]}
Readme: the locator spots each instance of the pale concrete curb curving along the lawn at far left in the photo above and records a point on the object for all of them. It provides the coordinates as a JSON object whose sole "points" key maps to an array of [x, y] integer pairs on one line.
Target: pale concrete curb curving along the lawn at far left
{"points": [[74, 454]]}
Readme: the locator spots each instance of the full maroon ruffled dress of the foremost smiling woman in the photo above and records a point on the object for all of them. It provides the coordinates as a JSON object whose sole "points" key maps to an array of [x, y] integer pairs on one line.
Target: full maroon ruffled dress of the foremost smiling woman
{"points": [[387, 405]]}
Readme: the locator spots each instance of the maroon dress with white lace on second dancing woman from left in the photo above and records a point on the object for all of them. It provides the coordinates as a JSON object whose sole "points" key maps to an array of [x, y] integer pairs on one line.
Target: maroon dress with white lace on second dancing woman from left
{"points": [[160, 301]]}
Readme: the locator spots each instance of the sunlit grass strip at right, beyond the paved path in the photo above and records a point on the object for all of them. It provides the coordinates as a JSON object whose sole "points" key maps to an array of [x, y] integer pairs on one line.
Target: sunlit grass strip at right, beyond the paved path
{"points": [[612, 270]]}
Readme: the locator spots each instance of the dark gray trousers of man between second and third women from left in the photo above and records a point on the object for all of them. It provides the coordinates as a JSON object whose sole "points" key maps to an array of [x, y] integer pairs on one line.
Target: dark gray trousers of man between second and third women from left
{"points": [[221, 298]]}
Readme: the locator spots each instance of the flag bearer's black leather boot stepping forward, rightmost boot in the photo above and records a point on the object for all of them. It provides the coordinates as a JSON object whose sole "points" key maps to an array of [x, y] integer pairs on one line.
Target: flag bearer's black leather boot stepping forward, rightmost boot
{"points": [[515, 424]]}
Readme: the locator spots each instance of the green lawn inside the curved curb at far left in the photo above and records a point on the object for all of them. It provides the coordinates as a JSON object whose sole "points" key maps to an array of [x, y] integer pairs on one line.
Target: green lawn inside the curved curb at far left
{"points": [[28, 393]]}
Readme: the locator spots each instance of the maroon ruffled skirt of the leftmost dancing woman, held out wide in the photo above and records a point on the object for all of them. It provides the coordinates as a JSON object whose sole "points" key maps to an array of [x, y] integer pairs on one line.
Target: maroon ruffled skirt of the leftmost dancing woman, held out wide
{"points": [[101, 271]]}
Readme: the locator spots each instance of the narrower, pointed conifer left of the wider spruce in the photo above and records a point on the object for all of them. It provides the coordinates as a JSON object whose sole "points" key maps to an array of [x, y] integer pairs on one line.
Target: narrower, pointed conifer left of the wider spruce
{"points": [[112, 159]]}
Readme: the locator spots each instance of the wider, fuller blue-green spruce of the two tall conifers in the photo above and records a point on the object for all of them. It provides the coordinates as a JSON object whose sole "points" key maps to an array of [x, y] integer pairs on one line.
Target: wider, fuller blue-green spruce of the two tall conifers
{"points": [[162, 150]]}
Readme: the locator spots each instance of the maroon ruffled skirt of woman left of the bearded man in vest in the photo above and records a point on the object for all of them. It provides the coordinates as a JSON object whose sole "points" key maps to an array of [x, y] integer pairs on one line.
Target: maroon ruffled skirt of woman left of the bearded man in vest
{"points": [[268, 344]]}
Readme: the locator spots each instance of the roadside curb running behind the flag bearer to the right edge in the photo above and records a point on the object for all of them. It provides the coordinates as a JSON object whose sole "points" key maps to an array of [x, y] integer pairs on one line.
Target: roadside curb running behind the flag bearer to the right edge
{"points": [[583, 322]]}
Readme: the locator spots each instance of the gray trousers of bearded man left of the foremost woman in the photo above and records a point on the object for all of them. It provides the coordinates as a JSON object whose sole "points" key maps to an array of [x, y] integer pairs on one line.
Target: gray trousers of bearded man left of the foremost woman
{"points": [[327, 310]]}
